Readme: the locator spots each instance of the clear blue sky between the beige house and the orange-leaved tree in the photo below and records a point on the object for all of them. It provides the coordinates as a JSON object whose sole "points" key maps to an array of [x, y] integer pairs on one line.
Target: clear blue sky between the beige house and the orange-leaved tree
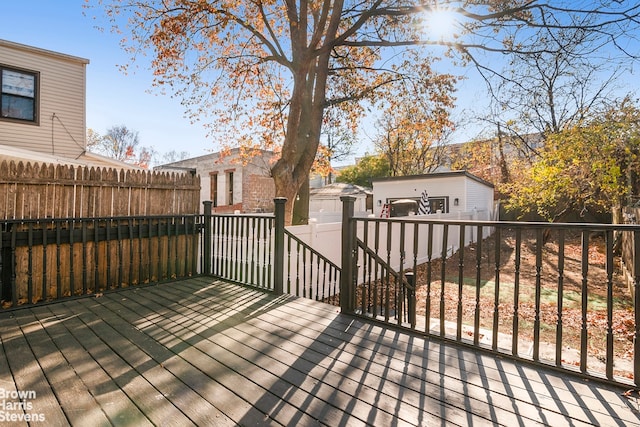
{"points": [[113, 98]]}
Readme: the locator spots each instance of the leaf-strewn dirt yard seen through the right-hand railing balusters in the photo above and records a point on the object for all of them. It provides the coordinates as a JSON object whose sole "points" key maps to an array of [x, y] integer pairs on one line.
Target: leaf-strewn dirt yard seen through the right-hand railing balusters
{"points": [[549, 271]]}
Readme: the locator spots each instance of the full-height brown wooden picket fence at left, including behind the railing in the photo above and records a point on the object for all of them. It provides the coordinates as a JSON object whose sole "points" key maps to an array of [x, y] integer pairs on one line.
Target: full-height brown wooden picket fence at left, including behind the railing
{"points": [[68, 230]]}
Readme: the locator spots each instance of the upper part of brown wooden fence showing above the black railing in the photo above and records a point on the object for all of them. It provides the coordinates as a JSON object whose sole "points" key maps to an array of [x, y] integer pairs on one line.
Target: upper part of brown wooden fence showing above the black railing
{"points": [[30, 191]]}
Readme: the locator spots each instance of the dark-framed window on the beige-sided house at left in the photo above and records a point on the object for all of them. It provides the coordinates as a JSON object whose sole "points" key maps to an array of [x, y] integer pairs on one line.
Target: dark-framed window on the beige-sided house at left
{"points": [[18, 93]]}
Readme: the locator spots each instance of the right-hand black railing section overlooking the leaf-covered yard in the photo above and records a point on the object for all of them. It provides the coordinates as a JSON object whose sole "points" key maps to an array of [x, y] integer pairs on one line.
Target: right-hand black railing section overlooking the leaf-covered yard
{"points": [[554, 294]]}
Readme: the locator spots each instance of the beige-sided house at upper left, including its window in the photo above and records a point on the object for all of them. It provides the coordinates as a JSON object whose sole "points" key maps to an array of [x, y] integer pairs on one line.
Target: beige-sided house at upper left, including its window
{"points": [[43, 100]]}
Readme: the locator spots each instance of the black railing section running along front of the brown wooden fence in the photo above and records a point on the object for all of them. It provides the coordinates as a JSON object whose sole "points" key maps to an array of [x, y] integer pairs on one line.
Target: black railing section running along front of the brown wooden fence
{"points": [[46, 259]]}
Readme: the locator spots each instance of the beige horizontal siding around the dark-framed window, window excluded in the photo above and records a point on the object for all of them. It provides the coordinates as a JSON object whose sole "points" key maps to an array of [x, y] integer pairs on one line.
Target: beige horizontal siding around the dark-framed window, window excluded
{"points": [[62, 91]]}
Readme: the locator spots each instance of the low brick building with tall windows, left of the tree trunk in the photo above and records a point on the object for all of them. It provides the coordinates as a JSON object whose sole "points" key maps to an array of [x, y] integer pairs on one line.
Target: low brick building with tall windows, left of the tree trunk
{"points": [[233, 181]]}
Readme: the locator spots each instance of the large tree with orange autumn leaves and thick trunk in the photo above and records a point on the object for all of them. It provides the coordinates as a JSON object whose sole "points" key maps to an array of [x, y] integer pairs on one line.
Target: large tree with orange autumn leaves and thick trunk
{"points": [[267, 71]]}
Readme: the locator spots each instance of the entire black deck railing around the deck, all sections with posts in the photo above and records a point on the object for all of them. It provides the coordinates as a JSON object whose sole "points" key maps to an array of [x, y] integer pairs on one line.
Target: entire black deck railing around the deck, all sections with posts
{"points": [[552, 294]]}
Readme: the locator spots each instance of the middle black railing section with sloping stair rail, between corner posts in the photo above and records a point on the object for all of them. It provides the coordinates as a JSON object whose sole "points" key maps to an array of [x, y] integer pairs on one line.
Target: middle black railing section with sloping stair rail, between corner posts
{"points": [[258, 251]]}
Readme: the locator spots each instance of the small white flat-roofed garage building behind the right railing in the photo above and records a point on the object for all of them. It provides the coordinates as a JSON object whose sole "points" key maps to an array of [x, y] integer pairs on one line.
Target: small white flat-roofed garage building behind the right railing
{"points": [[448, 192]]}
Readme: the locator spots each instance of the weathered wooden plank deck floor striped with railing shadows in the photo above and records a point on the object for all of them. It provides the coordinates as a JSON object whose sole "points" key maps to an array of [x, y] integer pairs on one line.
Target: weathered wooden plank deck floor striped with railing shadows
{"points": [[209, 353]]}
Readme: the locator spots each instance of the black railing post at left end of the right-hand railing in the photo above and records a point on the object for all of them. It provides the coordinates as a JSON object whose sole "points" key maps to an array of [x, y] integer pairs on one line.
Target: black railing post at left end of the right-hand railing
{"points": [[347, 290]]}
